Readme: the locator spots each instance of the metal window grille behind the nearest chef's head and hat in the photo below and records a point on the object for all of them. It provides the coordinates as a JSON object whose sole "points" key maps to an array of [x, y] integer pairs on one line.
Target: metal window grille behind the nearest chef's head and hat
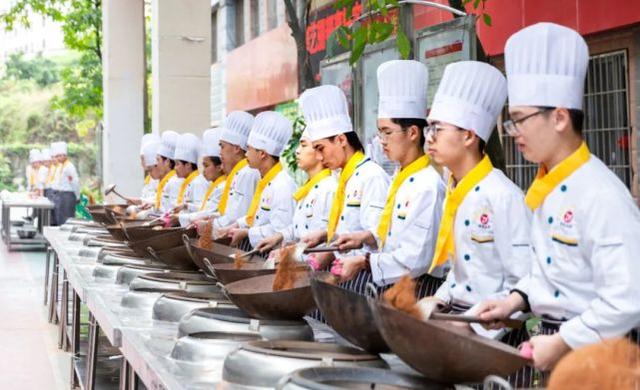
{"points": [[606, 126]]}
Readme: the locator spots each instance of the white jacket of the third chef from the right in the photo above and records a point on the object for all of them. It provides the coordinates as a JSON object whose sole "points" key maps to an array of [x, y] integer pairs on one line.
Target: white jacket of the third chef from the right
{"points": [[413, 232]]}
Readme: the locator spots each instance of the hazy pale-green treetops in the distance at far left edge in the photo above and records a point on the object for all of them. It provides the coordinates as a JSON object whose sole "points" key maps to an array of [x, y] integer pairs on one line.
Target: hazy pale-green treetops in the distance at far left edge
{"points": [[42, 70]]}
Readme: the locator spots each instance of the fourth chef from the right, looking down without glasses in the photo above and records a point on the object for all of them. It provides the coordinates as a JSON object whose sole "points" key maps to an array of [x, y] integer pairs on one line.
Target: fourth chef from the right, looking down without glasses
{"points": [[362, 184]]}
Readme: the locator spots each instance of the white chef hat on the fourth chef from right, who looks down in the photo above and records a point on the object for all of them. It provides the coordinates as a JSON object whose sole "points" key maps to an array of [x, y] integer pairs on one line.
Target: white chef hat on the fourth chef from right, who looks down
{"points": [[325, 111]]}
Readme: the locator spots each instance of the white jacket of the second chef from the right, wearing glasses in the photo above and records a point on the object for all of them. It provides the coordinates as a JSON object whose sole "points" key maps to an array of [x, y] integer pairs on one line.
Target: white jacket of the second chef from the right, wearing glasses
{"points": [[492, 243]]}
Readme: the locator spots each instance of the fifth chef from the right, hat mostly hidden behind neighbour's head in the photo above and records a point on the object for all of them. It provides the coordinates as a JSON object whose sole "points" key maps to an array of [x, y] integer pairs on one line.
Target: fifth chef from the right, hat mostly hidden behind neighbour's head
{"points": [[313, 199]]}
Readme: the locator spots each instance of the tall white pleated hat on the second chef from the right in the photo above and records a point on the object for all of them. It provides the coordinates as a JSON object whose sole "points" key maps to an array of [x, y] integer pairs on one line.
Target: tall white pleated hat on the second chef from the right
{"points": [[471, 94]]}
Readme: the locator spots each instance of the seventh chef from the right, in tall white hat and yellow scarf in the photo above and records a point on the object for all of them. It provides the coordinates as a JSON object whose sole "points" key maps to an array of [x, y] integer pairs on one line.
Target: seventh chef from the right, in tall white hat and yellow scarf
{"points": [[241, 180]]}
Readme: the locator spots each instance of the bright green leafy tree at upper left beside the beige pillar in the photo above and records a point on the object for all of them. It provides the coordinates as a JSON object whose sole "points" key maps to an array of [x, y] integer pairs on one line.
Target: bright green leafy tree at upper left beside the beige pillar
{"points": [[81, 22]]}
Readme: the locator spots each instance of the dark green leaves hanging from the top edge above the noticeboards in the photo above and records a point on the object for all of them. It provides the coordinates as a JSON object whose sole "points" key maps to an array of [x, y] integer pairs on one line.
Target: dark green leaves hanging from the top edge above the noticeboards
{"points": [[379, 23]]}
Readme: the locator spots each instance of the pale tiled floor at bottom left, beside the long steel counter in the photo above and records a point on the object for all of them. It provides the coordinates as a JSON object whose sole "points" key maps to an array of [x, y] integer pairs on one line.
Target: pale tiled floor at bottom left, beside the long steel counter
{"points": [[29, 354]]}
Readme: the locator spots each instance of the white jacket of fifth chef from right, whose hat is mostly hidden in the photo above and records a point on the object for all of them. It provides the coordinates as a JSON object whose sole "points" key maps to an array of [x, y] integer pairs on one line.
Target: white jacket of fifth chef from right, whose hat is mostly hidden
{"points": [[312, 212]]}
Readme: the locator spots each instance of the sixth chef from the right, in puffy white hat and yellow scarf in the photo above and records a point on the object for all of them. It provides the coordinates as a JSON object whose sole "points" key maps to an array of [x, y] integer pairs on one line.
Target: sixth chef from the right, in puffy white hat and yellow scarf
{"points": [[272, 204]]}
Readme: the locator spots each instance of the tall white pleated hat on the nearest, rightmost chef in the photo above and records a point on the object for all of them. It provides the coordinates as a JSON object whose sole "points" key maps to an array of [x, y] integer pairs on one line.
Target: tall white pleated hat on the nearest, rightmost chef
{"points": [[546, 66]]}
